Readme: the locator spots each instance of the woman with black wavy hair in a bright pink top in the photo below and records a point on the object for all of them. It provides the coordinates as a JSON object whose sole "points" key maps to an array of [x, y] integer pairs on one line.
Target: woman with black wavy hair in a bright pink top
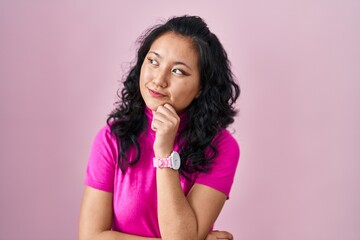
{"points": [[164, 164]]}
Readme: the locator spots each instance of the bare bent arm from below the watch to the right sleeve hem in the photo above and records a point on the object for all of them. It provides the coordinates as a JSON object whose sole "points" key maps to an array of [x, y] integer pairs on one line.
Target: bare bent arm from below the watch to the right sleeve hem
{"points": [[188, 217]]}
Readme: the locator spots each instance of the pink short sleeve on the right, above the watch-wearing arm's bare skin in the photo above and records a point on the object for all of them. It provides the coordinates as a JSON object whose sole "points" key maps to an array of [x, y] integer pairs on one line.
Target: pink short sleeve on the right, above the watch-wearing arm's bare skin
{"points": [[222, 172]]}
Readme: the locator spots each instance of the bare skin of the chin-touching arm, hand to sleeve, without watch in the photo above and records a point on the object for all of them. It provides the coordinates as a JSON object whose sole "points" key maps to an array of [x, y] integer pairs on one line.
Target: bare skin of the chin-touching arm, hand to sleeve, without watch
{"points": [[180, 217]]}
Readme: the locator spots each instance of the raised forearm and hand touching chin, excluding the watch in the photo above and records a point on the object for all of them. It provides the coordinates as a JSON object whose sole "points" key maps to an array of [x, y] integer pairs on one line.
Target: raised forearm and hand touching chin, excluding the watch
{"points": [[176, 218]]}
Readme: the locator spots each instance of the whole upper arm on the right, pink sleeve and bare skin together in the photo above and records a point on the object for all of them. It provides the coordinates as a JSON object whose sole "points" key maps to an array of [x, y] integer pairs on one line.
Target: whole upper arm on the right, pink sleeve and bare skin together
{"points": [[211, 189]]}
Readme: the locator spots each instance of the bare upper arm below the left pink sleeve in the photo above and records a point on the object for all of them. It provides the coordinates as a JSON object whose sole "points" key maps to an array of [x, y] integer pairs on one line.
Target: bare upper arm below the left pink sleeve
{"points": [[95, 214]]}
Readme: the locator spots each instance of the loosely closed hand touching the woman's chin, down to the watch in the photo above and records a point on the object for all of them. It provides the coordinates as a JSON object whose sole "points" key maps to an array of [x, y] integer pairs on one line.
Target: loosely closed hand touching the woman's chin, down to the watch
{"points": [[165, 123]]}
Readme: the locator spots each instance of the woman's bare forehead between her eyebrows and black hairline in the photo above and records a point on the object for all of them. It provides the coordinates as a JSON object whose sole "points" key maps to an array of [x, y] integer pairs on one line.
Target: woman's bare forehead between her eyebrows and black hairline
{"points": [[175, 47]]}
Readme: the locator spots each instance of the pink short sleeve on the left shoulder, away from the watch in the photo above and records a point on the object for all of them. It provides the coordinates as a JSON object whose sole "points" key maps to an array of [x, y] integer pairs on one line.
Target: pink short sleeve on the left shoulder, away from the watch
{"points": [[101, 166]]}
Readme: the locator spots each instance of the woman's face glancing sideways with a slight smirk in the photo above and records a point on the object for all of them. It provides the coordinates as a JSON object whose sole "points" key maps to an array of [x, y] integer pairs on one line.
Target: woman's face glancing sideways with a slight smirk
{"points": [[170, 73]]}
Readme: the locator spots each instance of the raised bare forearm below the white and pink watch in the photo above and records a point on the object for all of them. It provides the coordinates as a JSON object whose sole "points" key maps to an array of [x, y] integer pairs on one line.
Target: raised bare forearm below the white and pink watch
{"points": [[176, 217]]}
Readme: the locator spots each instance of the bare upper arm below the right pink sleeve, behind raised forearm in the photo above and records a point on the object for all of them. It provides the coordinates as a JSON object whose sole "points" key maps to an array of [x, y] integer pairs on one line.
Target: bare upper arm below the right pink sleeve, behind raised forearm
{"points": [[206, 202]]}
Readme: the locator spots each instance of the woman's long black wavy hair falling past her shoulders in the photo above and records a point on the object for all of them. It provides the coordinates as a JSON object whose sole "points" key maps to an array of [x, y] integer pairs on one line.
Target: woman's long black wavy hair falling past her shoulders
{"points": [[208, 114]]}
